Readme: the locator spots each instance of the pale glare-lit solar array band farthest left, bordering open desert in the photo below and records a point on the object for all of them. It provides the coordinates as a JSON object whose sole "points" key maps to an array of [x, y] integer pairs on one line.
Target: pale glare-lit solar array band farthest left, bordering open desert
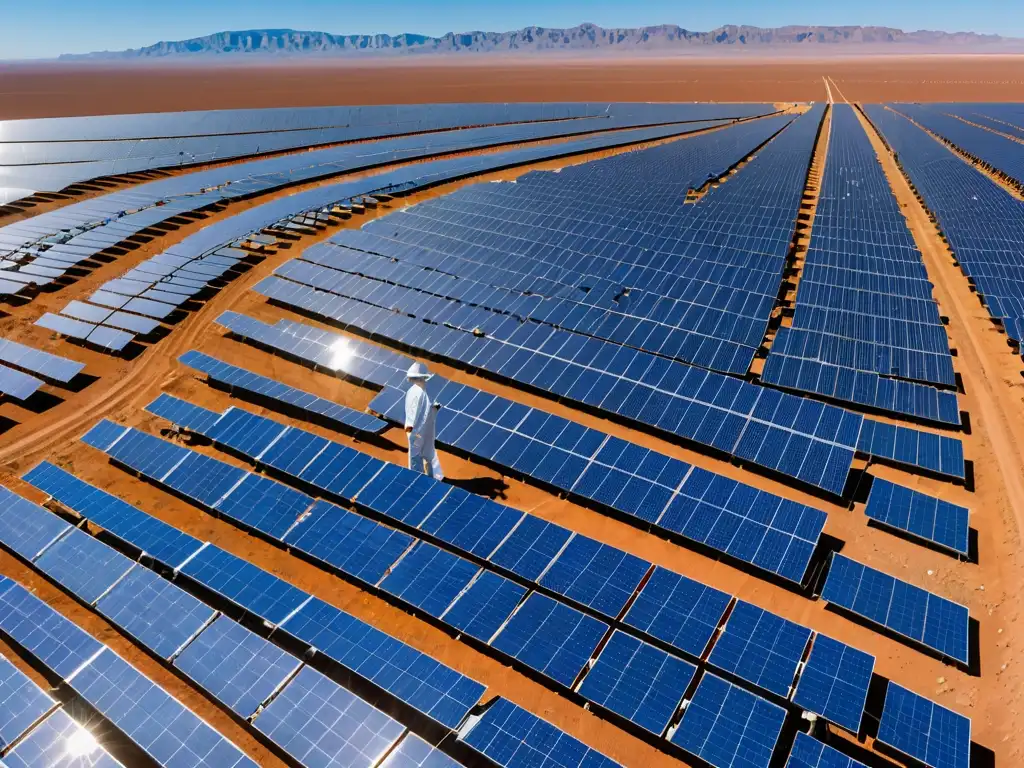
{"points": [[49, 155]]}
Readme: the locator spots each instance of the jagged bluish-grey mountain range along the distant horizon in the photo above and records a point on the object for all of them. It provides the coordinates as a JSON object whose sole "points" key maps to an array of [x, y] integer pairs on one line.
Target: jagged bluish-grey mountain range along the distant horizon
{"points": [[586, 37]]}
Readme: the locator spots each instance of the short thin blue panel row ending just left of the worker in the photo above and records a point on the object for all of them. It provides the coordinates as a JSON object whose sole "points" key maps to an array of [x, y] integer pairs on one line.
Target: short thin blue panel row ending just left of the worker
{"points": [[240, 378]]}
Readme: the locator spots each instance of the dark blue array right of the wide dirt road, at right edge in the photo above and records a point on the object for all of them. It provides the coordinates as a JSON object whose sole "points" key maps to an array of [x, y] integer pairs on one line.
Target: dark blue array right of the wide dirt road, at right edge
{"points": [[982, 222]]}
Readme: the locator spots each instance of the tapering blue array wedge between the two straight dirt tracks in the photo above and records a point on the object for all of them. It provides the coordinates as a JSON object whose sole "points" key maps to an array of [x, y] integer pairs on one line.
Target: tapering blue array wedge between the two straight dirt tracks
{"points": [[856, 337]]}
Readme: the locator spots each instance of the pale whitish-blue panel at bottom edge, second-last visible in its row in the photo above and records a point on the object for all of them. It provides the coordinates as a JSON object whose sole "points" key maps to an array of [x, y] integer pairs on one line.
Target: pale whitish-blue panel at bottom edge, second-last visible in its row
{"points": [[321, 724]]}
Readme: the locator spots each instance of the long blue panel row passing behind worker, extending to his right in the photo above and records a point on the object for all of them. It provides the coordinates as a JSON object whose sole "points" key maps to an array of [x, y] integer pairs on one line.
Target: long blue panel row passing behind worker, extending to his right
{"points": [[757, 528]]}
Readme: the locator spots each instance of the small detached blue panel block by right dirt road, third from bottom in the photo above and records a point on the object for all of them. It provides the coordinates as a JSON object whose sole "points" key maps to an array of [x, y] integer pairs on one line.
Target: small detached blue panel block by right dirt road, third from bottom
{"points": [[926, 518]]}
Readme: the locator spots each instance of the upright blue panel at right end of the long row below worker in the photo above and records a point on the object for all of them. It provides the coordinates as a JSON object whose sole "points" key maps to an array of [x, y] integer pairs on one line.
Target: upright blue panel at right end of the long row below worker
{"points": [[834, 682]]}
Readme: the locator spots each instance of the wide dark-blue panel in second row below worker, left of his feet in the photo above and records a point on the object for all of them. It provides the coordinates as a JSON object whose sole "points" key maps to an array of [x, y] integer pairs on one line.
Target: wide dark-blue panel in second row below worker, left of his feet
{"points": [[353, 544]]}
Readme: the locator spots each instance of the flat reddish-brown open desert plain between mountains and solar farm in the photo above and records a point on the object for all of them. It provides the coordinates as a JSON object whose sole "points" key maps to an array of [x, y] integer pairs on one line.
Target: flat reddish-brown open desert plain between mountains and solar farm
{"points": [[63, 90]]}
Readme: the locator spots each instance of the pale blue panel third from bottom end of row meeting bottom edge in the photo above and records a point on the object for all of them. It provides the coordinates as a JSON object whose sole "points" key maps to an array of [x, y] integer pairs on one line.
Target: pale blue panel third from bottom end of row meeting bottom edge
{"points": [[240, 669]]}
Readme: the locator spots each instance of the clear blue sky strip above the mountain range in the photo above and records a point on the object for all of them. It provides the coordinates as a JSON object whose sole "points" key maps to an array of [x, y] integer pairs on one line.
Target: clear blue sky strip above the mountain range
{"points": [[40, 29]]}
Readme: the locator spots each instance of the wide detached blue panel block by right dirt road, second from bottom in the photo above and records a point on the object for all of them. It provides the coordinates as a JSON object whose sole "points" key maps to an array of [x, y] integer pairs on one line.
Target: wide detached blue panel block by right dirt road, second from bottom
{"points": [[908, 611]]}
